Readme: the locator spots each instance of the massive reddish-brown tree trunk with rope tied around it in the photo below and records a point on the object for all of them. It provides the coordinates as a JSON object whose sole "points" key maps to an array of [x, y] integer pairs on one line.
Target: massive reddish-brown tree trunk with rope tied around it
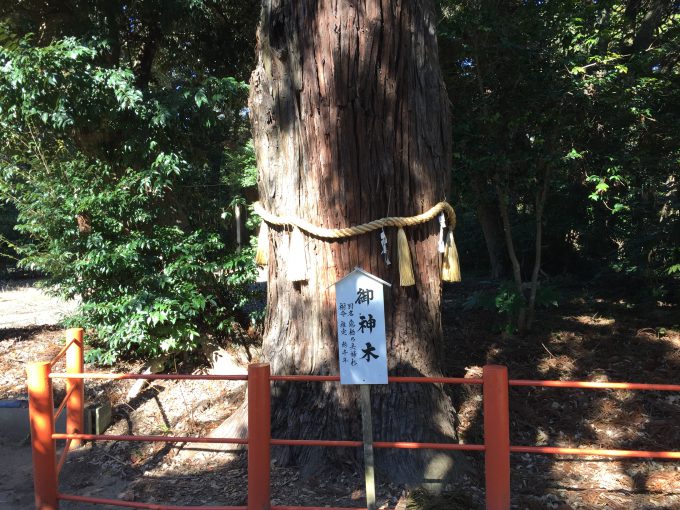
{"points": [[351, 123]]}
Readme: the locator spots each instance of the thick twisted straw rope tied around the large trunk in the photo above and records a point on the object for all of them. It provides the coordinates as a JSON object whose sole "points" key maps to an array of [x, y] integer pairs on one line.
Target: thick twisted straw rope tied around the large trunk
{"points": [[338, 233]]}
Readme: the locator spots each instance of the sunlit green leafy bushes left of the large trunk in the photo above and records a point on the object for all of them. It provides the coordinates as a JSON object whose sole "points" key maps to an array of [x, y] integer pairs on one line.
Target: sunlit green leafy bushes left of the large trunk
{"points": [[121, 172]]}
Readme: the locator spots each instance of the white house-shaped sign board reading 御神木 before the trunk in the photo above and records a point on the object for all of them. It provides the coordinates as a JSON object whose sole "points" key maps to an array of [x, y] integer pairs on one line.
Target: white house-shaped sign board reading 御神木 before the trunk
{"points": [[362, 348]]}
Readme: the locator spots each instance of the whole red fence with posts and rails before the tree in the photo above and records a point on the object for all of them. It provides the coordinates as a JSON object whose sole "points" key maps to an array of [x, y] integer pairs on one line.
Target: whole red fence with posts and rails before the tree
{"points": [[496, 447]]}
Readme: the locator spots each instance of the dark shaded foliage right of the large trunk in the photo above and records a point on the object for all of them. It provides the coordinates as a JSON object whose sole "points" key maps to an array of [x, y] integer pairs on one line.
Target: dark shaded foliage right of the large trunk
{"points": [[586, 95]]}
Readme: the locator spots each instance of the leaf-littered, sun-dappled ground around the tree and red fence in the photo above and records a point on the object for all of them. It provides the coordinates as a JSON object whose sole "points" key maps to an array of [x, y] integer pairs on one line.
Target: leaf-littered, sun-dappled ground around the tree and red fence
{"points": [[592, 335]]}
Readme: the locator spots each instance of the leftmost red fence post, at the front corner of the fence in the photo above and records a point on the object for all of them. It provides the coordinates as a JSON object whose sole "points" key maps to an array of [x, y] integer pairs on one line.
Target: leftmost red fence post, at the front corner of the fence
{"points": [[41, 412]]}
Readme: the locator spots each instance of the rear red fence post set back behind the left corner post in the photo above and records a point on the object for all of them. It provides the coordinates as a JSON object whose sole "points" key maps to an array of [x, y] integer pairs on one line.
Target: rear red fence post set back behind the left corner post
{"points": [[75, 411]]}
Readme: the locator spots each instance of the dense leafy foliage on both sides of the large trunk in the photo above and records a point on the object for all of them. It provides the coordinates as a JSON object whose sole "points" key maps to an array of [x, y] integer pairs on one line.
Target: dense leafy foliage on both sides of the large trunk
{"points": [[124, 149]]}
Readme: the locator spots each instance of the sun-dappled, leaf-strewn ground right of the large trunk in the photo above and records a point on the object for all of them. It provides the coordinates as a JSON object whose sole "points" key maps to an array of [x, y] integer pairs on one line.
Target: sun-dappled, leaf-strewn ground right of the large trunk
{"points": [[584, 339]]}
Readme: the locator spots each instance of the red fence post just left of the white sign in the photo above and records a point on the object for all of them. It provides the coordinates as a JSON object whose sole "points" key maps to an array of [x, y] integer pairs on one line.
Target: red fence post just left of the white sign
{"points": [[259, 436]]}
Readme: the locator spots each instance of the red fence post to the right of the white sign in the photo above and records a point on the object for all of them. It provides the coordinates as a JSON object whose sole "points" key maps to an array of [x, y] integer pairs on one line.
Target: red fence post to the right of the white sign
{"points": [[497, 437]]}
